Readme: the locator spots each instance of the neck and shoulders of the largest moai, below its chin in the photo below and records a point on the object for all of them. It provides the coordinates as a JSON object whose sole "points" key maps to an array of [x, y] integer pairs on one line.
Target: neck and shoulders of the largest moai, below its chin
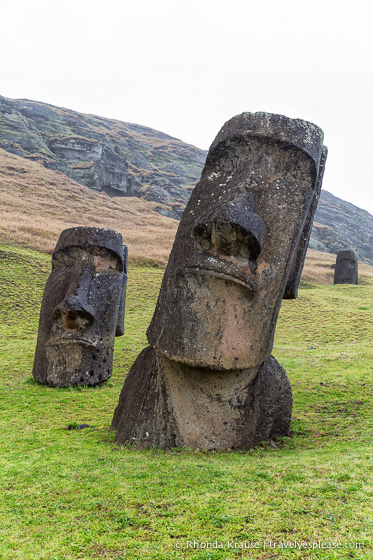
{"points": [[166, 404]]}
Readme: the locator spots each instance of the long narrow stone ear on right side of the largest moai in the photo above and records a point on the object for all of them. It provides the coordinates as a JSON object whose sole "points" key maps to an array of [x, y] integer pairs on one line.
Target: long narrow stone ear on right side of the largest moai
{"points": [[296, 266]]}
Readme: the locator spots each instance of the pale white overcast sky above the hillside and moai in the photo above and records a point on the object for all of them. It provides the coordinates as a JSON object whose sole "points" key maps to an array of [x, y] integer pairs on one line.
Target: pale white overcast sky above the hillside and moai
{"points": [[186, 67]]}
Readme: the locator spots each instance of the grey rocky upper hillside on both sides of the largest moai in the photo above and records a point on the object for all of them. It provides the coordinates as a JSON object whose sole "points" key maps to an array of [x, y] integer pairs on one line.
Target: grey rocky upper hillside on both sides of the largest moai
{"points": [[124, 159]]}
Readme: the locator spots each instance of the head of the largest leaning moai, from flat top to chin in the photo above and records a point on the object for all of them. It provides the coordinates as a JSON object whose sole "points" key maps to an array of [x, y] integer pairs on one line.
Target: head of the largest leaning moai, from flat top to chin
{"points": [[238, 241]]}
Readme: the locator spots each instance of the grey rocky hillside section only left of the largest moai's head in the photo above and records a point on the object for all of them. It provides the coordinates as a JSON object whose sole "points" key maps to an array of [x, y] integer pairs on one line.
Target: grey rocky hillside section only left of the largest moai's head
{"points": [[121, 159]]}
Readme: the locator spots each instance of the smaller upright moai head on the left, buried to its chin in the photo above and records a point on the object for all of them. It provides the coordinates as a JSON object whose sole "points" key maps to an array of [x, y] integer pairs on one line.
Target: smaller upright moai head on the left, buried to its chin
{"points": [[82, 308]]}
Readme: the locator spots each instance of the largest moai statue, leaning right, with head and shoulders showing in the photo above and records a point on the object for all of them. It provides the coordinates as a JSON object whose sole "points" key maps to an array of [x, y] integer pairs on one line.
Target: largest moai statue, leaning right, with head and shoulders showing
{"points": [[208, 379]]}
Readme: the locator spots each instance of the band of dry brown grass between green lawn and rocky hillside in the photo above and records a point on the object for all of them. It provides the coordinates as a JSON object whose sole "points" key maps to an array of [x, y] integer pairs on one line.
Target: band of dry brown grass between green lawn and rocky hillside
{"points": [[36, 204]]}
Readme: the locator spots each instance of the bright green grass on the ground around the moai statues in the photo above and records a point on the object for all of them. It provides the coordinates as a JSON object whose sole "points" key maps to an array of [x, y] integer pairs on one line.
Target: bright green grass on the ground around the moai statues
{"points": [[74, 494]]}
